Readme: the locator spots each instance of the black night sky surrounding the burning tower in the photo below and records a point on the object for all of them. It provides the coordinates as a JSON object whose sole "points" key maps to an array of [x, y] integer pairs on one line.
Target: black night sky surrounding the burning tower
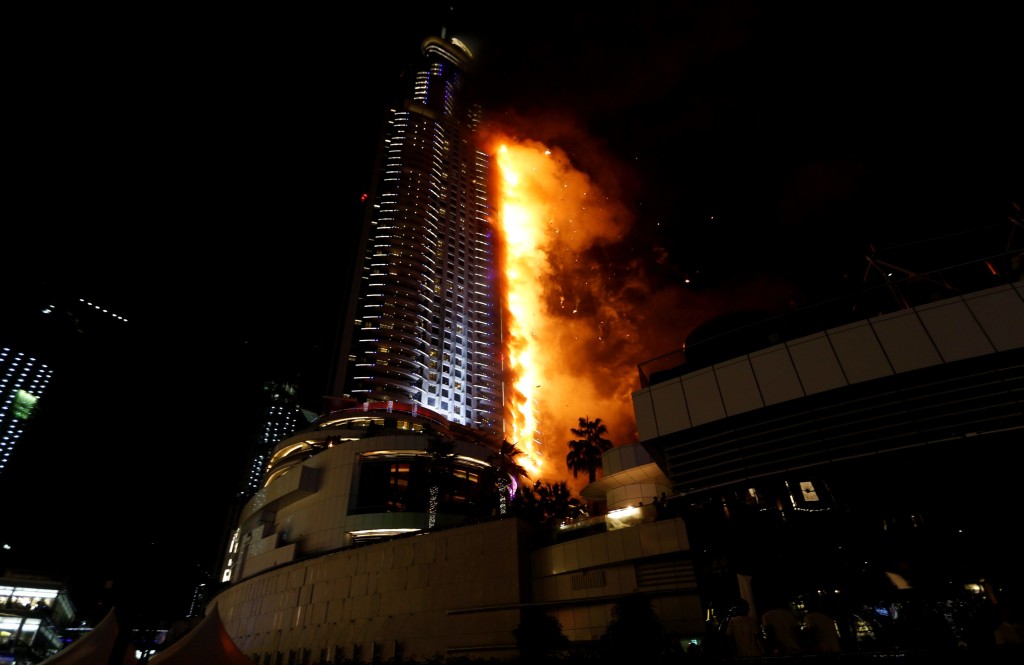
{"points": [[210, 192]]}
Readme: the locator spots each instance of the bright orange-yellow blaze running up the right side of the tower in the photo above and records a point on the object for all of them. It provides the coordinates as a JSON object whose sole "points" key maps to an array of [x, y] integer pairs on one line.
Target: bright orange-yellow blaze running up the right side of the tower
{"points": [[550, 215]]}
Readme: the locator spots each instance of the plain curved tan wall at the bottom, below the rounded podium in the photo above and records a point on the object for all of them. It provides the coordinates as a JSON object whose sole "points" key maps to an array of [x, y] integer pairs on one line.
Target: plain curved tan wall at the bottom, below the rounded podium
{"points": [[425, 595]]}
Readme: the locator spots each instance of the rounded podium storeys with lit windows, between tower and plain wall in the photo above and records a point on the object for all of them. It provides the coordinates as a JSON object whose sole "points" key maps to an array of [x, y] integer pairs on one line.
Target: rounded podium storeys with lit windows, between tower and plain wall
{"points": [[362, 475]]}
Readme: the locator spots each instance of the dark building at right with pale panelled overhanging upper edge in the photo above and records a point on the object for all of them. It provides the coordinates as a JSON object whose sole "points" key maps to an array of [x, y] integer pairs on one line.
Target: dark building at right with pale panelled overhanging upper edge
{"points": [[861, 467]]}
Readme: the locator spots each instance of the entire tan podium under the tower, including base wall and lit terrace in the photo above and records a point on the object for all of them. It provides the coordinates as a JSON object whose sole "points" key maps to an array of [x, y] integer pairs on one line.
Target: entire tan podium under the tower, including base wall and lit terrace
{"points": [[356, 549]]}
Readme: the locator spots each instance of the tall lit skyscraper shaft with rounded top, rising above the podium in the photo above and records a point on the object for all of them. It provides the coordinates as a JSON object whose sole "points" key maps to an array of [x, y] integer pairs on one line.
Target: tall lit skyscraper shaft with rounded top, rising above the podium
{"points": [[423, 323]]}
